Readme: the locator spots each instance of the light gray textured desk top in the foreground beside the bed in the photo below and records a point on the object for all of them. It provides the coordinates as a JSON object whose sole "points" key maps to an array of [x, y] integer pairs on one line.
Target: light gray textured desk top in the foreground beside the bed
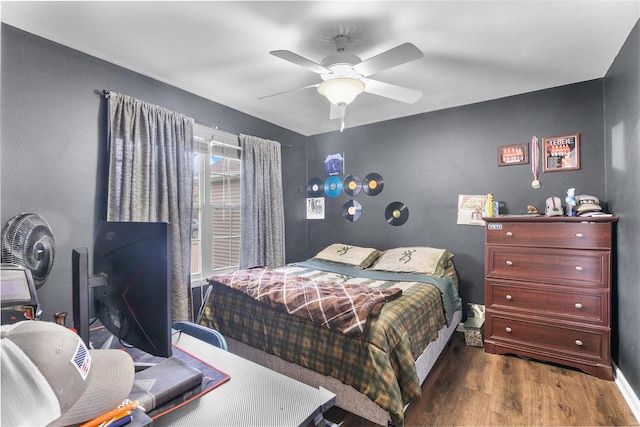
{"points": [[254, 396]]}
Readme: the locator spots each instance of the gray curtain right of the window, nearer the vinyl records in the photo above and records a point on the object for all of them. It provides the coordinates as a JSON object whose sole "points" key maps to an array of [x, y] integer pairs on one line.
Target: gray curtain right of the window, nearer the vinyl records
{"points": [[262, 205]]}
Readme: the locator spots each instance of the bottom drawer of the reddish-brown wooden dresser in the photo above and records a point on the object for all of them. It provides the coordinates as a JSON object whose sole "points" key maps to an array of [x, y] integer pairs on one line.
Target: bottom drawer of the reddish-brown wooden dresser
{"points": [[557, 339]]}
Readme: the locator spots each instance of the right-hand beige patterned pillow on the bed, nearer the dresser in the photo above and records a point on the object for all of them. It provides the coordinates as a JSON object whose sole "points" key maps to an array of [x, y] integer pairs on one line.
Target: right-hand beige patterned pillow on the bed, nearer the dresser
{"points": [[415, 259]]}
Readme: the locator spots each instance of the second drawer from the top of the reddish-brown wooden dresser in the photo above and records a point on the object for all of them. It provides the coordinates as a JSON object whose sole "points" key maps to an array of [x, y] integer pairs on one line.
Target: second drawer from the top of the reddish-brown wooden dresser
{"points": [[562, 266]]}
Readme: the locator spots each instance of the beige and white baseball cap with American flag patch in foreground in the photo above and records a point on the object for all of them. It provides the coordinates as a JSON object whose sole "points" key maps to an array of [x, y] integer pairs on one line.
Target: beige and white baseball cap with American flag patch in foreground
{"points": [[49, 377]]}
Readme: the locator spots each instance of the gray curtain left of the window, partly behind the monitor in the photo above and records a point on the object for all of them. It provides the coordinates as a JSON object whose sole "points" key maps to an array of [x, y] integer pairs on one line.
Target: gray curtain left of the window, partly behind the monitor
{"points": [[151, 180]]}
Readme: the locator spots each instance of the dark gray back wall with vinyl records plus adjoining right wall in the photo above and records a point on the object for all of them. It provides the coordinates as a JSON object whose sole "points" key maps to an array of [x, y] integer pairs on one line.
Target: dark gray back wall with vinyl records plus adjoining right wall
{"points": [[427, 160]]}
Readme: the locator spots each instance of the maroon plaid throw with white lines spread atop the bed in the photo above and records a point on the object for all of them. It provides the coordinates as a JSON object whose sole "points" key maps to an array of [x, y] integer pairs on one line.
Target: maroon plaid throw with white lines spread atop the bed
{"points": [[328, 303]]}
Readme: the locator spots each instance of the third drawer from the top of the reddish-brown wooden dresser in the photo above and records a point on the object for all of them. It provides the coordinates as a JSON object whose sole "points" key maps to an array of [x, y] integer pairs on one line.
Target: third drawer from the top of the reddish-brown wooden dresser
{"points": [[548, 301]]}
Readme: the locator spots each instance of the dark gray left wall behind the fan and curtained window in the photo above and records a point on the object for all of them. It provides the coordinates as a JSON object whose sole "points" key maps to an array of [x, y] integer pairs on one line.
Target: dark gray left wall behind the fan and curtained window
{"points": [[54, 144]]}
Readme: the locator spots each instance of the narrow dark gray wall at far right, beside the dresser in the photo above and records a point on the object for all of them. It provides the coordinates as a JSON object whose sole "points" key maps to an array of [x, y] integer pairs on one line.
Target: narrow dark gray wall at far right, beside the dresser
{"points": [[622, 160]]}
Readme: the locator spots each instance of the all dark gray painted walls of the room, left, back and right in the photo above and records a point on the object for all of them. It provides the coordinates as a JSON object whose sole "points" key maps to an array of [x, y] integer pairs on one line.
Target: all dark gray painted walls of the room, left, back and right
{"points": [[54, 136]]}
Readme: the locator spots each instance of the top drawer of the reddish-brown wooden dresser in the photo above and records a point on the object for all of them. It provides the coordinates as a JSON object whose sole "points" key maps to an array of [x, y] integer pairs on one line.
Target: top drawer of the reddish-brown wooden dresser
{"points": [[553, 235]]}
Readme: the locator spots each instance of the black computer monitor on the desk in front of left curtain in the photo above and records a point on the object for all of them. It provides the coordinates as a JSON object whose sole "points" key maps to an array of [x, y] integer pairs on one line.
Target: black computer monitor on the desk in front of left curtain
{"points": [[131, 285]]}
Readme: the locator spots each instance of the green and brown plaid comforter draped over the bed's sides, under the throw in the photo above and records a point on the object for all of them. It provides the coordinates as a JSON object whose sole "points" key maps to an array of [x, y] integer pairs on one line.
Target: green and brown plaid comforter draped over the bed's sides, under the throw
{"points": [[379, 364]]}
